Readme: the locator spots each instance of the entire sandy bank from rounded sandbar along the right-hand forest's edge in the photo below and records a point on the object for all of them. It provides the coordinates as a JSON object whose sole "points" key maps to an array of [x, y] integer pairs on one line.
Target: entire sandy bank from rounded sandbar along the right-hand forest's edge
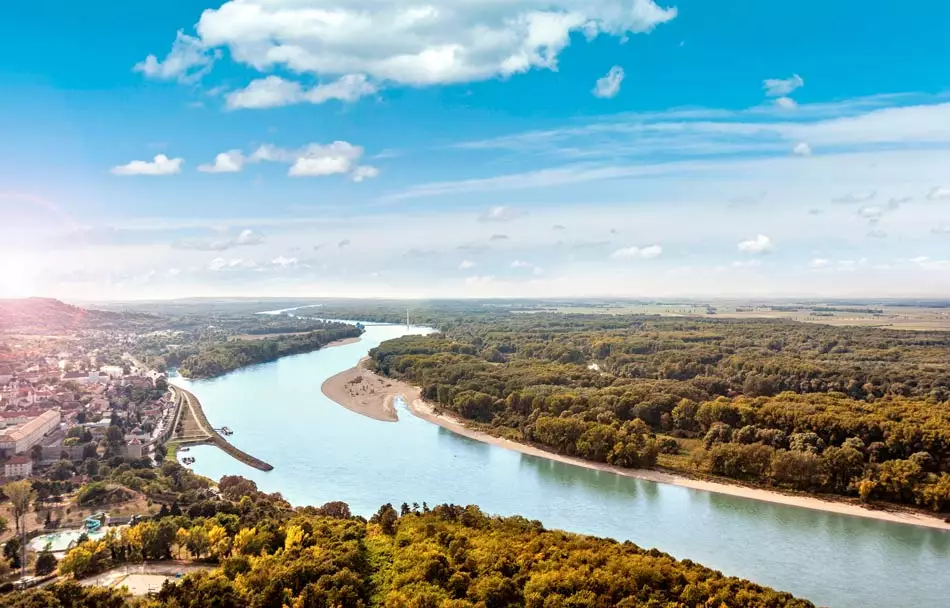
{"points": [[369, 394]]}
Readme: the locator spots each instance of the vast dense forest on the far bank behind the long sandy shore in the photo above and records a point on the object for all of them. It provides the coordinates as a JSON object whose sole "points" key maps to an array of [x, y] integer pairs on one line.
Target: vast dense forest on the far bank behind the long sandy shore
{"points": [[844, 410]]}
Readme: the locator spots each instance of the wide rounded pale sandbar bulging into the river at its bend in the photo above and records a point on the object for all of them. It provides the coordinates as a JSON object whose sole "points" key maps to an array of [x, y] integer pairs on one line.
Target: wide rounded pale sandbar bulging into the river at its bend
{"points": [[364, 392]]}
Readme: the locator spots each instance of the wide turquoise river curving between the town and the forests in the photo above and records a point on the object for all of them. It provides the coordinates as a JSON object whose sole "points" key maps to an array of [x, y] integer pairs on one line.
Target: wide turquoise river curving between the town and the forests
{"points": [[323, 452]]}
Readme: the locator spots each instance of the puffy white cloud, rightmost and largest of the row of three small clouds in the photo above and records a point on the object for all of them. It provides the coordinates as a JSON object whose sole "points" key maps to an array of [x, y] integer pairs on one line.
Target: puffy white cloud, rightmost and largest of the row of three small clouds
{"points": [[315, 160]]}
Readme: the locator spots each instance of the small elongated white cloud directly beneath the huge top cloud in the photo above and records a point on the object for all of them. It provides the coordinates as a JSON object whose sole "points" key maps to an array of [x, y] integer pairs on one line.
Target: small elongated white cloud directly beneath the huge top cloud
{"points": [[273, 91]]}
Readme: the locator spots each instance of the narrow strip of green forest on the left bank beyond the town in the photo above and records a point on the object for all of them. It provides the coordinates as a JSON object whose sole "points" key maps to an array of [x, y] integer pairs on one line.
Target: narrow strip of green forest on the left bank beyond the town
{"points": [[220, 357]]}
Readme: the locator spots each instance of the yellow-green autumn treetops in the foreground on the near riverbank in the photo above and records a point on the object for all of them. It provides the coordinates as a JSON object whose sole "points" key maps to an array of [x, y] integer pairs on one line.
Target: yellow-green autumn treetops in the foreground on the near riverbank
{"points": [[268, 554]]}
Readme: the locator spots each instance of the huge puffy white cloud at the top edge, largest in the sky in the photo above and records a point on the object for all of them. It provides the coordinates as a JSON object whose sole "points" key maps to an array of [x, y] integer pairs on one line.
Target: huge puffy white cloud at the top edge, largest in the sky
{"points": [[437, 42]]}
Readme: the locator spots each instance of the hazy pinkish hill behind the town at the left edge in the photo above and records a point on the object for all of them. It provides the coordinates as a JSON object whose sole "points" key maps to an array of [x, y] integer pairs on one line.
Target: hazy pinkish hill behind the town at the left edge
{"points": [[46, 315]]}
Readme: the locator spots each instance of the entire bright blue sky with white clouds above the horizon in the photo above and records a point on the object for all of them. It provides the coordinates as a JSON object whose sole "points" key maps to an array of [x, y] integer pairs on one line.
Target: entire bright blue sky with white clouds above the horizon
{"points": [[479, 148]]}
